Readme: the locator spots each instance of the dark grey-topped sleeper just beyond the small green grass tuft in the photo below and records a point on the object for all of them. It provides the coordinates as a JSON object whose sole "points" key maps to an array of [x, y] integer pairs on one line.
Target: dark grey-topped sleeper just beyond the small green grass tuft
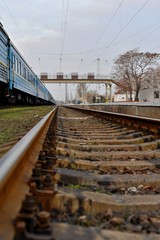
{"points": [[69, 176]]}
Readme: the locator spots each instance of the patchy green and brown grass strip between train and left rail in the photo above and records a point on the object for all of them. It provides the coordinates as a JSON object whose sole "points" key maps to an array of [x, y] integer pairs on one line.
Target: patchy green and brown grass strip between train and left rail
{"points": [[19, 120]]}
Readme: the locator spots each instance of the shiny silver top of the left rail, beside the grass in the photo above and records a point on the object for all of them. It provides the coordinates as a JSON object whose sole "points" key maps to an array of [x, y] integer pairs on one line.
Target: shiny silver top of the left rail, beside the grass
{"points": [[10, 161]]}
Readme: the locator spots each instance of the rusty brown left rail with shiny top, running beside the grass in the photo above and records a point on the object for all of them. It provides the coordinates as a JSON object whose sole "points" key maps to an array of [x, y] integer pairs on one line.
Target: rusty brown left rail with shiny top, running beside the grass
{"points": [[15, 170]]}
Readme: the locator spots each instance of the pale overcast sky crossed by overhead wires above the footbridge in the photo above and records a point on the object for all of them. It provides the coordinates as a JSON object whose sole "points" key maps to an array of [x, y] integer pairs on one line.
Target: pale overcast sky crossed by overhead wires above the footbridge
{"points": [[70, 35]]}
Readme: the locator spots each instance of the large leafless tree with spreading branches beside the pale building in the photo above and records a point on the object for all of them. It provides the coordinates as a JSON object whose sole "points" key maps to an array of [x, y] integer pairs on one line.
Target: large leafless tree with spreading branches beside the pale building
{"points": [[133, 70]]}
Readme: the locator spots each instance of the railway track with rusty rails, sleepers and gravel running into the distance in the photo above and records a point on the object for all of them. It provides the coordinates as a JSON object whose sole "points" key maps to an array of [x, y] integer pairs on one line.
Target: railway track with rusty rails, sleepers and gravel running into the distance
{"points": [[94, 176]]}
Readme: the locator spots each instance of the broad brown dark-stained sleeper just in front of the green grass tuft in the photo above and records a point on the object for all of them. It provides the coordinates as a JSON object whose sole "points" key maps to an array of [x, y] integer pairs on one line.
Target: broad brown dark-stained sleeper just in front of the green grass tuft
{"points": [[86, 202]]}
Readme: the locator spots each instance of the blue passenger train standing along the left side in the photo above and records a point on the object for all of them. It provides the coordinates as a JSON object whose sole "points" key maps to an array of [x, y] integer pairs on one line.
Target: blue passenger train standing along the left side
{"points": [[18, 83]]}
